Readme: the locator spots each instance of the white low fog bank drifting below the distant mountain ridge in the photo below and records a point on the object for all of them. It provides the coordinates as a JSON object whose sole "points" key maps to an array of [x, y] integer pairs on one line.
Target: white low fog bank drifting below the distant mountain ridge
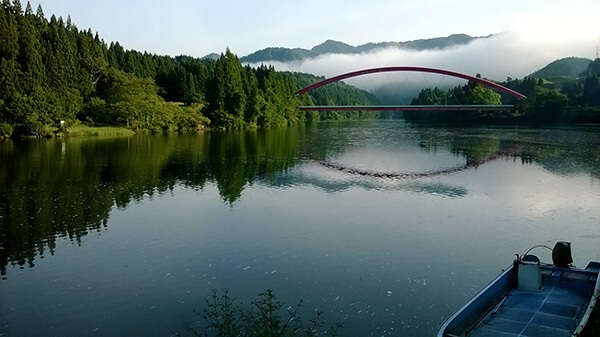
{"points": [[504, 55]]}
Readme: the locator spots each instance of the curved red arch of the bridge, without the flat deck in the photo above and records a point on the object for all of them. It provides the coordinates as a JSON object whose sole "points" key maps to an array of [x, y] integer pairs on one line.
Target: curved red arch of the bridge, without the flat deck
{"points": [[411, 69]]}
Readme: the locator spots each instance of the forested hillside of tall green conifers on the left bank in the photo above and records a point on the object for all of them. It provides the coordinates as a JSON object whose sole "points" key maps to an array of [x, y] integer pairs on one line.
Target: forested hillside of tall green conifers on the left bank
{"points": [[52, 73]]}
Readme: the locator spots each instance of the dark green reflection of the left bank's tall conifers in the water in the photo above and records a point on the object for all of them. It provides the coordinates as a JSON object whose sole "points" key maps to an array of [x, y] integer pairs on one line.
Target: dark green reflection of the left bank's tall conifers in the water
{"points": [[56, 188]]}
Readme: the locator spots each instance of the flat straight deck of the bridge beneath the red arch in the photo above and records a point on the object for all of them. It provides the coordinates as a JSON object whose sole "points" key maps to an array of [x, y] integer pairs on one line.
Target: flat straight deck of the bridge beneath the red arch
{"points": [[408, 108]]}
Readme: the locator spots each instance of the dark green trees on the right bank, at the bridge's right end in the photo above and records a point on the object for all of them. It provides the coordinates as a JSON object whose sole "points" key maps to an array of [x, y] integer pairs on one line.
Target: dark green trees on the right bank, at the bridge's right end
{"points": [[557, 99]]}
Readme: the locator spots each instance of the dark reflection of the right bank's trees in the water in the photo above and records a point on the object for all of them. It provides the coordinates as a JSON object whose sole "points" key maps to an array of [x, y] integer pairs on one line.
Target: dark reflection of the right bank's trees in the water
{"points": [[563, 150]]}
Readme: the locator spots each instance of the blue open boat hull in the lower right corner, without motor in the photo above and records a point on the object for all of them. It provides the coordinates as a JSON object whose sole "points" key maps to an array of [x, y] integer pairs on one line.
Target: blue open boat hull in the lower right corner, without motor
{"points": [[561, 308]]}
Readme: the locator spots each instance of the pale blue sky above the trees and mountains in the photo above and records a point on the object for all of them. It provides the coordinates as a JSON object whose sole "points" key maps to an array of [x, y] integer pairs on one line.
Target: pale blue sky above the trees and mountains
{"points": [[198, 27]]}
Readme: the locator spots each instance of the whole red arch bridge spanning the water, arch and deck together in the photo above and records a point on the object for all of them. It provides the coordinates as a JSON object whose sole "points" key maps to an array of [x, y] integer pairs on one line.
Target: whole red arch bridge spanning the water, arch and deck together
{"points": [[479, 80]]}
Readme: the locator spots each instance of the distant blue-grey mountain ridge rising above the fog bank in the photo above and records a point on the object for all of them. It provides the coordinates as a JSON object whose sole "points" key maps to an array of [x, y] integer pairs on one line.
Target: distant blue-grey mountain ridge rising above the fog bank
{"points": [[336, 47]]}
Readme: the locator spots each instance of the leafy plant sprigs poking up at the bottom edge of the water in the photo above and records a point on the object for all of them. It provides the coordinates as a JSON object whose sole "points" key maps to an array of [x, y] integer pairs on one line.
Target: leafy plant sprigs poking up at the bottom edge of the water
{"points": [[265, 317]]}
